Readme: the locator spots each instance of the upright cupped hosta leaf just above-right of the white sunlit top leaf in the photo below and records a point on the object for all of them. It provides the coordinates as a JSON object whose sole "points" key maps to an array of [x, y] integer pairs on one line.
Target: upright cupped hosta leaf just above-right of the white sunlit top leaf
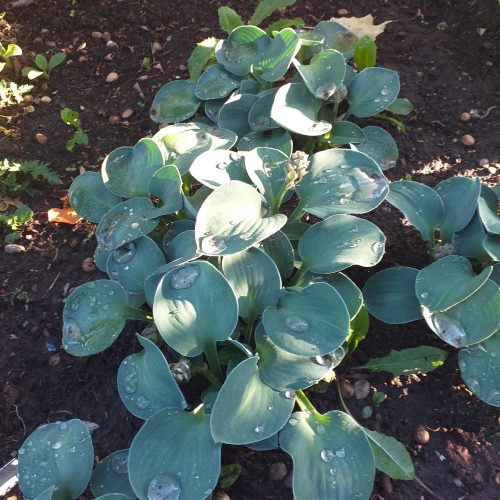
{"points": [[324, 73]]}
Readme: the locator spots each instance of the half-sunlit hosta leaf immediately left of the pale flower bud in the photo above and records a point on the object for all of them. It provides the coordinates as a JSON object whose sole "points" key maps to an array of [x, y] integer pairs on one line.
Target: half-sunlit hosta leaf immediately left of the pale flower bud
{"points": [[267, 168]]}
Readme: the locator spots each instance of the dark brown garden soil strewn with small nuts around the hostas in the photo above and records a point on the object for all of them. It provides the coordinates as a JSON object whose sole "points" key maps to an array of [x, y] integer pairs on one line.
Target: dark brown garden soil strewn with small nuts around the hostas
{"points": [[447, 54]]}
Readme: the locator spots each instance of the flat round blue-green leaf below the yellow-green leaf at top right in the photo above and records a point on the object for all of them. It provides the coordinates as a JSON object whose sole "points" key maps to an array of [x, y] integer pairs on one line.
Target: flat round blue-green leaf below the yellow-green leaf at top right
{"points": [[372, 90]]}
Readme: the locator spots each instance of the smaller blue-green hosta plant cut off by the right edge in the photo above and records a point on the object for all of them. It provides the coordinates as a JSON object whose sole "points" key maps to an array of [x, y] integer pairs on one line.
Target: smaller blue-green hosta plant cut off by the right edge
{"points": [[458, 294]]}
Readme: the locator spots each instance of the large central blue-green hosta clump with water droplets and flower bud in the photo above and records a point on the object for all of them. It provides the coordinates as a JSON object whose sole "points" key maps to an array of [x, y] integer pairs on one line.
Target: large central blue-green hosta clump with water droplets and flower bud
{"points": [[200, 232]]}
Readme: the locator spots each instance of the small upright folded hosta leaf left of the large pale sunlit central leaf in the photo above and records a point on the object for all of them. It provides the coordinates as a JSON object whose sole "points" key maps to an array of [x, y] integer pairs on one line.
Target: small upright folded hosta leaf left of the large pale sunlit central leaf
{"points": [[166, 184]]}
